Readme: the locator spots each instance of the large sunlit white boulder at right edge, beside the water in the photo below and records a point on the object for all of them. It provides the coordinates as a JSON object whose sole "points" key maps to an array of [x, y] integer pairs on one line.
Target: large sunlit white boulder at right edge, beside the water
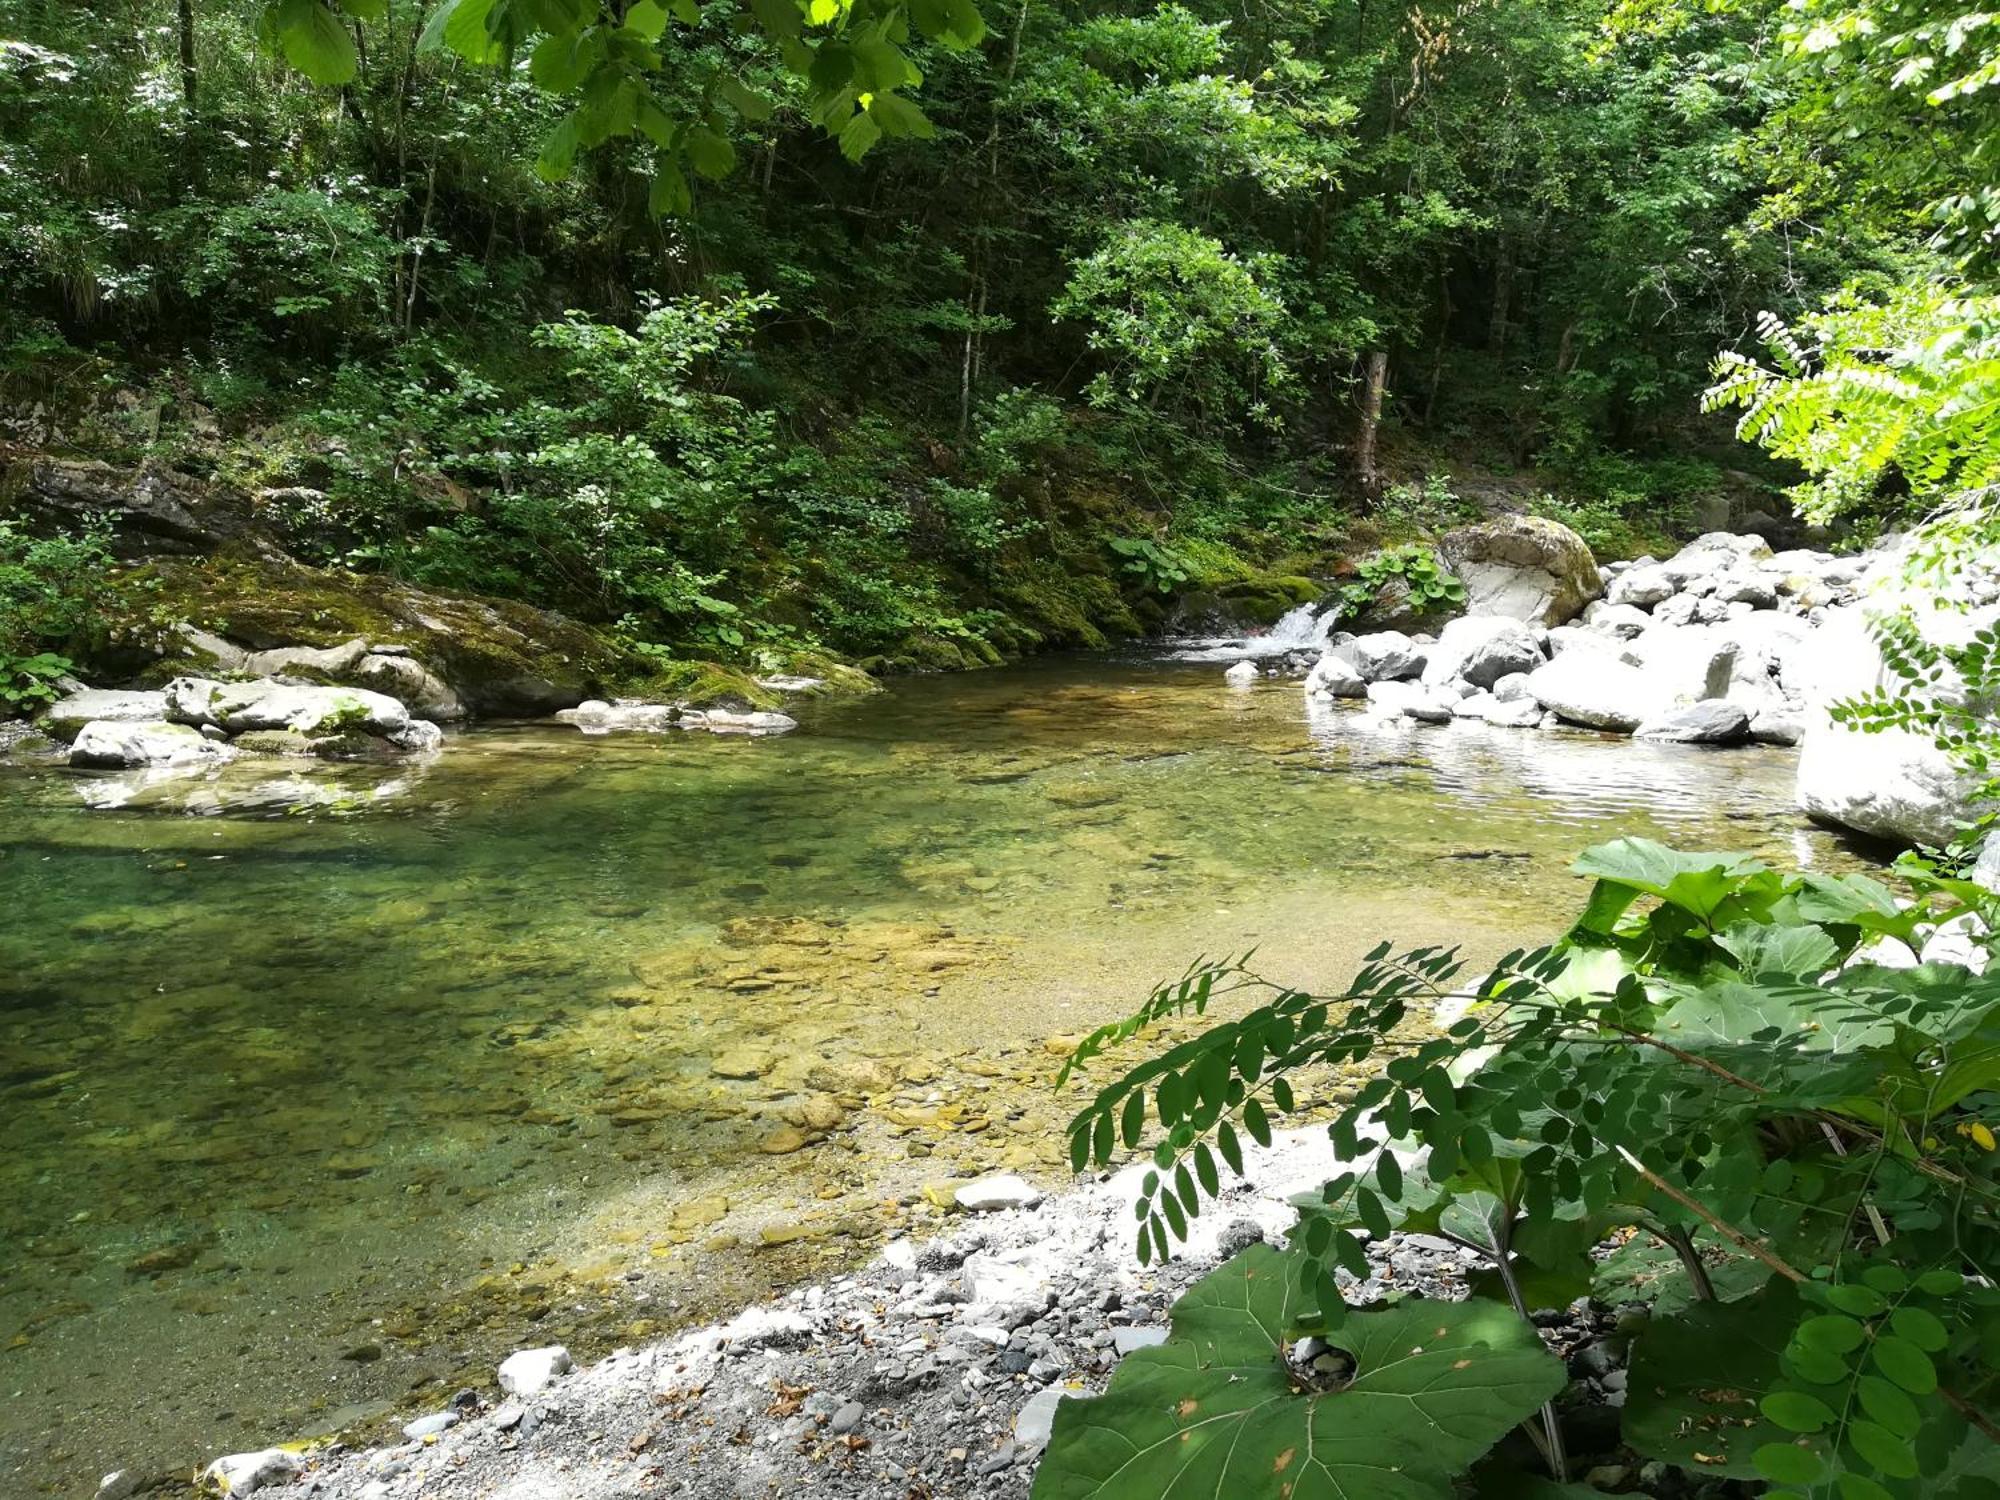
{"points": [[1895, 783]]}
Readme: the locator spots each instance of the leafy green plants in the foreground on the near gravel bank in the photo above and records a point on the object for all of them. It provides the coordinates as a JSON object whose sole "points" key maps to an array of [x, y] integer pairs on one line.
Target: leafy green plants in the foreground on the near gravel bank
{"points": [[1731, 1075]]}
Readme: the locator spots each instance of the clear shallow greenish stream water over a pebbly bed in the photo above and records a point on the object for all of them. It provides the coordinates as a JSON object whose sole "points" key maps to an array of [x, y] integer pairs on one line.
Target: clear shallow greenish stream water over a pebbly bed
{"points": [[313, 1117]]}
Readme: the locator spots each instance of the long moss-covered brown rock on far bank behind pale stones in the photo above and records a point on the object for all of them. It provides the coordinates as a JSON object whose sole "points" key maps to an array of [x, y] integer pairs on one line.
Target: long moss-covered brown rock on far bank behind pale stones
{"points": [[503, 659]]}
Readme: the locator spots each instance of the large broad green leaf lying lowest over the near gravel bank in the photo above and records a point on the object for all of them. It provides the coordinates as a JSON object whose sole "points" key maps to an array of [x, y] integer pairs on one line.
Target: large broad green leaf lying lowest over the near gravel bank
{"points": [[1213, 1411]]}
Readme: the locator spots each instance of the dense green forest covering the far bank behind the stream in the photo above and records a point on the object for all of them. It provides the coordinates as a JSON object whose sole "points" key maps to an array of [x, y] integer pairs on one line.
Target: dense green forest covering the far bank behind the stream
{"points": [[1127, 273]]}
